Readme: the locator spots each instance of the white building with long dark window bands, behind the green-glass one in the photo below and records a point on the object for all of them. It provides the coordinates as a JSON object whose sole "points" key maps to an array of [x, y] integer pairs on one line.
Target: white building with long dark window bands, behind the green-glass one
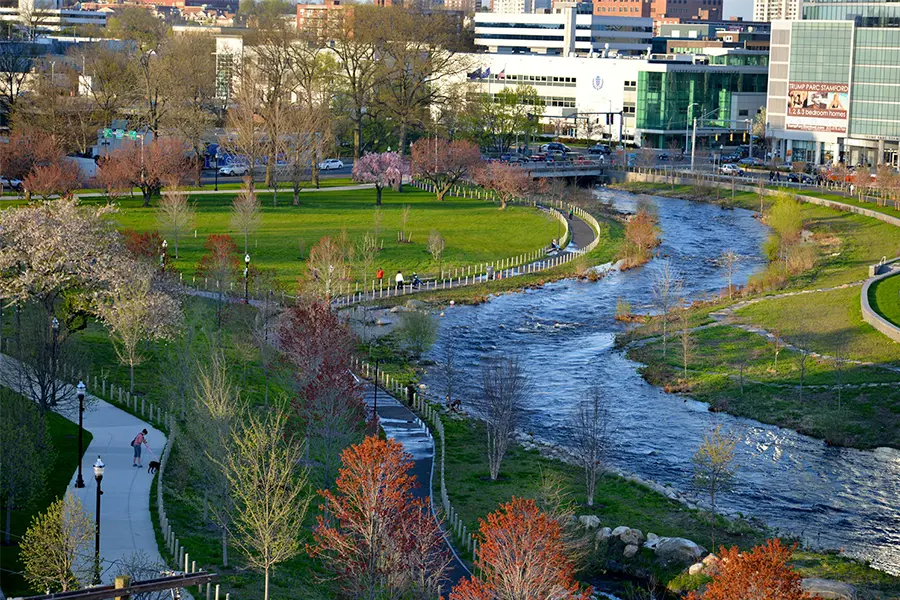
{"points": [[563, 34]]}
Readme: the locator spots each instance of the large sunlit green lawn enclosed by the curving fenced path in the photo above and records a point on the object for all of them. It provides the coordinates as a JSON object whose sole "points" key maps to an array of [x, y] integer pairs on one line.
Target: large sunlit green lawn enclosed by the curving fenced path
{"points": [[475, 231]]}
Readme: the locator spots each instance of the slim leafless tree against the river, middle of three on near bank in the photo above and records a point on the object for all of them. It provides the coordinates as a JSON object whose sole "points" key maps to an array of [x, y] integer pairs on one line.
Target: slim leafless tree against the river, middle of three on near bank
{"points": [[589, 425]]}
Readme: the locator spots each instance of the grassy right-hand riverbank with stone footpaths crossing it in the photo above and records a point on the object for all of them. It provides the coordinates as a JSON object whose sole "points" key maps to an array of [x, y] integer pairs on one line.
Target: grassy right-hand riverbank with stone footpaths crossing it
{"points": [[828, 359]]}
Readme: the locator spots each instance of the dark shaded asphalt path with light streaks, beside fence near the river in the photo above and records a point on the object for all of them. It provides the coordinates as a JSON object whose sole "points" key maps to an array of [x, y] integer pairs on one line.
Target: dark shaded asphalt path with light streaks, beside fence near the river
{"points": [[401, 424]]}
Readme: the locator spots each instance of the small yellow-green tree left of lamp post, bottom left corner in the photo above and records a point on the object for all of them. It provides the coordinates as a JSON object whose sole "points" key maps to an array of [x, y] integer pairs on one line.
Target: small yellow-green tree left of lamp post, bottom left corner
{"points": [[56, 547]]}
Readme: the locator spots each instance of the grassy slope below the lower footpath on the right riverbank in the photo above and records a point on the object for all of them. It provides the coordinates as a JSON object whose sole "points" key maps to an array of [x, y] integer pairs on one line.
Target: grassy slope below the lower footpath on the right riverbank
{"points": [[860, 417]]}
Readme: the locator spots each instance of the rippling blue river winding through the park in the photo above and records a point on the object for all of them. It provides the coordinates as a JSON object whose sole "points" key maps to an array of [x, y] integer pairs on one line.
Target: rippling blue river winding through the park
{"points": [[563, 334]]}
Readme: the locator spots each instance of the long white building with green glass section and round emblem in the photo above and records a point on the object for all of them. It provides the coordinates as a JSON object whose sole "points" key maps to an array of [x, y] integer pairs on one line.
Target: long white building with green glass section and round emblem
{"points": [[615, 98]]}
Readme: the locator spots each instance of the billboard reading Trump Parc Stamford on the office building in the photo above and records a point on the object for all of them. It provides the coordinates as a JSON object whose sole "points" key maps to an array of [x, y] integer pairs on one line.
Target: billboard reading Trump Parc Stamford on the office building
{"points": [[817, 107]]}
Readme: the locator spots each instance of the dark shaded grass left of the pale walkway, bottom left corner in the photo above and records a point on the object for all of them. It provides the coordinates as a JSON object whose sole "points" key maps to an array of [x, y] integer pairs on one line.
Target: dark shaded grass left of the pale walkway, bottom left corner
{"points": [[62, 434]]}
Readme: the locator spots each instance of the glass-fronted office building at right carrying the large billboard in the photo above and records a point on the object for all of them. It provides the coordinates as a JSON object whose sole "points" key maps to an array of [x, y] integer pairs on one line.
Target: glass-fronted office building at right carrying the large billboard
{"points": [[834, 86]]}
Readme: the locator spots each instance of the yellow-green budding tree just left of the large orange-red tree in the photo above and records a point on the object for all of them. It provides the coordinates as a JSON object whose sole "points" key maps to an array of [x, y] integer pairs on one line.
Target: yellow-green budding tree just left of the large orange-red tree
{"points": [[270, 492]]}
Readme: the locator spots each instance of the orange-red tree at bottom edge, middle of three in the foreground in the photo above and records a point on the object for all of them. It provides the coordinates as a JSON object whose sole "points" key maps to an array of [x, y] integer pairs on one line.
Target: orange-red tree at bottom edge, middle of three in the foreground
{"points": [[522, 555]]}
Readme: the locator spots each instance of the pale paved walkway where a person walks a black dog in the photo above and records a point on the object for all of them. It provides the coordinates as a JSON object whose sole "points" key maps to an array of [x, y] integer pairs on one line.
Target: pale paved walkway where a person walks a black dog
{"points": [[125, 525]]}
